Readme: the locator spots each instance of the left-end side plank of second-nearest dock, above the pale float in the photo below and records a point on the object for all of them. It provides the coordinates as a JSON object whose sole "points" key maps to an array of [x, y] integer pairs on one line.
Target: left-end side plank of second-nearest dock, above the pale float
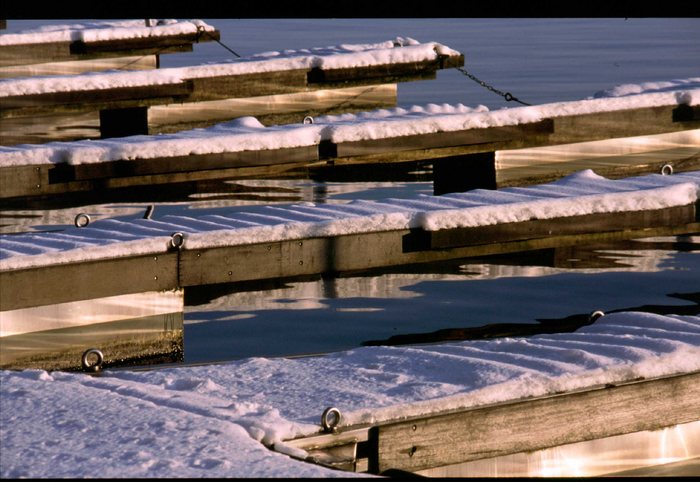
{"points": [[45, 285]]}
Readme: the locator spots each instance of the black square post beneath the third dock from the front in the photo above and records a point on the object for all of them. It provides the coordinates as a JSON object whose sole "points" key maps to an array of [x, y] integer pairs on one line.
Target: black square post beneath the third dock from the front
{"points": [[464, 172]]}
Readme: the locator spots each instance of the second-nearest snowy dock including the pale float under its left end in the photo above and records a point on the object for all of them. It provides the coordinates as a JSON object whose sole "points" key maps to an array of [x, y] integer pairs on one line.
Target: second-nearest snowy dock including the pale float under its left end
{"points": [[113, 259]]}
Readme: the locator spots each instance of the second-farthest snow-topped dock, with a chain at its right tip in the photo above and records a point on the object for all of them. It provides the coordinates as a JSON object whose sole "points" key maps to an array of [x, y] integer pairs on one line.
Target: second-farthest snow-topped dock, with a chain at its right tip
{"points": [[350, 76]]}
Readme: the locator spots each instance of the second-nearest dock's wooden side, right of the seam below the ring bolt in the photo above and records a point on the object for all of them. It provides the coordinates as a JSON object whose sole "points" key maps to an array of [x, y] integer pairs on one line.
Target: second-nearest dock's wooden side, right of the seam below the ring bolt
{"points": [[335, 255]]}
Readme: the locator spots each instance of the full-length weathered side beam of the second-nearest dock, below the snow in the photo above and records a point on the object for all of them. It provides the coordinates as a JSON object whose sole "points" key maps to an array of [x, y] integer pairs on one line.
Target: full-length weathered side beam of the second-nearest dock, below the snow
{"points": [[263, 261]]}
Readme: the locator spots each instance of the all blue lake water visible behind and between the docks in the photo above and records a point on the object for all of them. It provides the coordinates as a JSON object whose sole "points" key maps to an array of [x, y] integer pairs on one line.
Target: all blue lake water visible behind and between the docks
{"points": [[538, 61]]}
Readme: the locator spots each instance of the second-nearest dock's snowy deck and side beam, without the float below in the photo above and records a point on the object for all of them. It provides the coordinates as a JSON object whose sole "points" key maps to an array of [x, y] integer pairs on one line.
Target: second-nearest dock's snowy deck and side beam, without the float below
{"points": [[110, 257]]}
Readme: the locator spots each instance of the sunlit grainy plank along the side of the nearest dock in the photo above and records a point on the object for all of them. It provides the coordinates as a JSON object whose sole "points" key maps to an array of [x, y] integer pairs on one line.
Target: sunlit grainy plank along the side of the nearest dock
{"points": [[528, 425]]}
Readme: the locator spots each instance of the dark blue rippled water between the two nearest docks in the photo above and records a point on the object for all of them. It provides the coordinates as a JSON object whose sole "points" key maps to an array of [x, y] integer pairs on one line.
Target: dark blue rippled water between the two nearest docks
{"points": [[508, 295]]}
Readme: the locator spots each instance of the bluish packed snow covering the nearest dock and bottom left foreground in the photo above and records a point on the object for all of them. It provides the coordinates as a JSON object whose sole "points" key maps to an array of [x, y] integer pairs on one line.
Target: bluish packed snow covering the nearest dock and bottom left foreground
{"points": [[217, 420]]}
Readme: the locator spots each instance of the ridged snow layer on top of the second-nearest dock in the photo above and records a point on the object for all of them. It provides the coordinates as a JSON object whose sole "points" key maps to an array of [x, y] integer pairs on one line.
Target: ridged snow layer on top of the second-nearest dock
{"points": [[580, 193]]}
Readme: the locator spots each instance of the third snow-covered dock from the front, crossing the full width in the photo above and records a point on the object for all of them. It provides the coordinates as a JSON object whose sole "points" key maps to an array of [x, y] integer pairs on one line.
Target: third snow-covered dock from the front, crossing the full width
{"points": [[460, 142]]}
